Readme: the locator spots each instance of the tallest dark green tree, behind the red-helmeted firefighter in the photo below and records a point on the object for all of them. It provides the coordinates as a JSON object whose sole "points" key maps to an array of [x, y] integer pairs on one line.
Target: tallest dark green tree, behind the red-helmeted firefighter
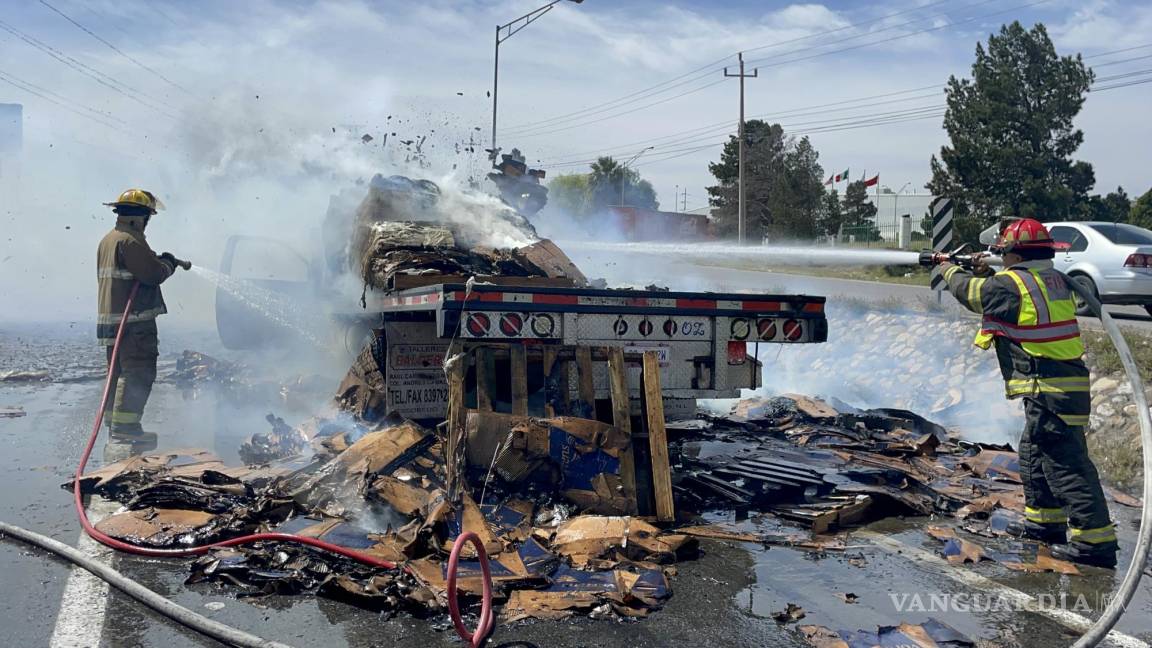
{"points": [[1012, 133]]}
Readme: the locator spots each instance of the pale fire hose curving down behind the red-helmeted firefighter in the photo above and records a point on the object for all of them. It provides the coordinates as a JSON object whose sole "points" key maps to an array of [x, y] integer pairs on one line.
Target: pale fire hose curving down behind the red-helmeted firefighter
{"points": [[1124, 596]]}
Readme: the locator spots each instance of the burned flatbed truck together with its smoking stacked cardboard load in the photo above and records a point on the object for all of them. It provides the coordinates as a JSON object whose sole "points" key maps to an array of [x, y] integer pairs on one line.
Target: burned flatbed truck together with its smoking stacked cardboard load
{"points": [[436, 277]]}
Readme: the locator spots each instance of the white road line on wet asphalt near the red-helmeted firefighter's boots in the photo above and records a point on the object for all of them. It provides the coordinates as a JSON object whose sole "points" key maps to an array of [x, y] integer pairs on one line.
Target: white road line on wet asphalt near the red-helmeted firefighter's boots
{"points": [[1066, 619]]}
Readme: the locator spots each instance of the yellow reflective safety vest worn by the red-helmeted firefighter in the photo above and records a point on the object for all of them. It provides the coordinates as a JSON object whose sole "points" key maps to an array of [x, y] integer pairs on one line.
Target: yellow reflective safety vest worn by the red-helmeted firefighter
{"points": [[1047, 327]]}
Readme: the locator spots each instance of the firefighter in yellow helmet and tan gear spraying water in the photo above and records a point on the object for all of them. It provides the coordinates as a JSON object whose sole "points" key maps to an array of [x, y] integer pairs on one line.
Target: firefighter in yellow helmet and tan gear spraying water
{"points": [[124, 259]]}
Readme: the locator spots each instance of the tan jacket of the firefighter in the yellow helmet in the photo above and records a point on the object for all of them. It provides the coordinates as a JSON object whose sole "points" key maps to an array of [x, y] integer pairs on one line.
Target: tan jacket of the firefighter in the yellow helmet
{"points": [[124, 258]]}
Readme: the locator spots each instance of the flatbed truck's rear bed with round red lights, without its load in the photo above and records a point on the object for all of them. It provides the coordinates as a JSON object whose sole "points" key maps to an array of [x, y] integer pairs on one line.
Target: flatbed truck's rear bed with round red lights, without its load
{"points": [[707, 344]]}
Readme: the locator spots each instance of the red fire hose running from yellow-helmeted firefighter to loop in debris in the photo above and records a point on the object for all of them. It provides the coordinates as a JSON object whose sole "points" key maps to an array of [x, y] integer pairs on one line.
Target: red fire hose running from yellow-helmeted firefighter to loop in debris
{"points": [[475, 641]]}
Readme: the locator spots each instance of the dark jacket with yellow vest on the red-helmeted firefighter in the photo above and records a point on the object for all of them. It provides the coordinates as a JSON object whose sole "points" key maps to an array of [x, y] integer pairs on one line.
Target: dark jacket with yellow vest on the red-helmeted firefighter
{"points": [[1030, 319]]}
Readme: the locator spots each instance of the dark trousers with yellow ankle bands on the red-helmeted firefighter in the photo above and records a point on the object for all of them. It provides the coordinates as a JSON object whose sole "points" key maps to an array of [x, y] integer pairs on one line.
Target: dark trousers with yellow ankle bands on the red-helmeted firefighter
{"points": [[1062, 485]]}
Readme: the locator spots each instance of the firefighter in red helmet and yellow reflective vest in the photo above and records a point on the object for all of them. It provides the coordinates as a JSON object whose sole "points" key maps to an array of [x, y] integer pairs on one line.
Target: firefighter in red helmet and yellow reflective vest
{"points": [[1030, 319]]}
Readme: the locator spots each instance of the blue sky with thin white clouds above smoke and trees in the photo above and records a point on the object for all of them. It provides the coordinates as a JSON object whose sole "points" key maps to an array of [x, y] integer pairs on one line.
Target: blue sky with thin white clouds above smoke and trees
{"points": [[355, 63]]}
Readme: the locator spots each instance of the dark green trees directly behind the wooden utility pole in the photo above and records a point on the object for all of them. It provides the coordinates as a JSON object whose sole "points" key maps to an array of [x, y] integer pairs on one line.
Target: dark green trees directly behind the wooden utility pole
{"points": [[784, 185]]}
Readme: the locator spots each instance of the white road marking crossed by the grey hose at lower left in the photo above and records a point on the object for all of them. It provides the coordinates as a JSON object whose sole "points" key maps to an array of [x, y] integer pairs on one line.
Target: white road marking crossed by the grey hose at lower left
{"points": [[80, 622]]}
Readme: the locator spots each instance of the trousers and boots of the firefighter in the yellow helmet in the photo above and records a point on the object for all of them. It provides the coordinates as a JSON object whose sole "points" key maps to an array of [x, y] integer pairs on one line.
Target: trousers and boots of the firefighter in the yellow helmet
{"points": [[133, 375]]}
